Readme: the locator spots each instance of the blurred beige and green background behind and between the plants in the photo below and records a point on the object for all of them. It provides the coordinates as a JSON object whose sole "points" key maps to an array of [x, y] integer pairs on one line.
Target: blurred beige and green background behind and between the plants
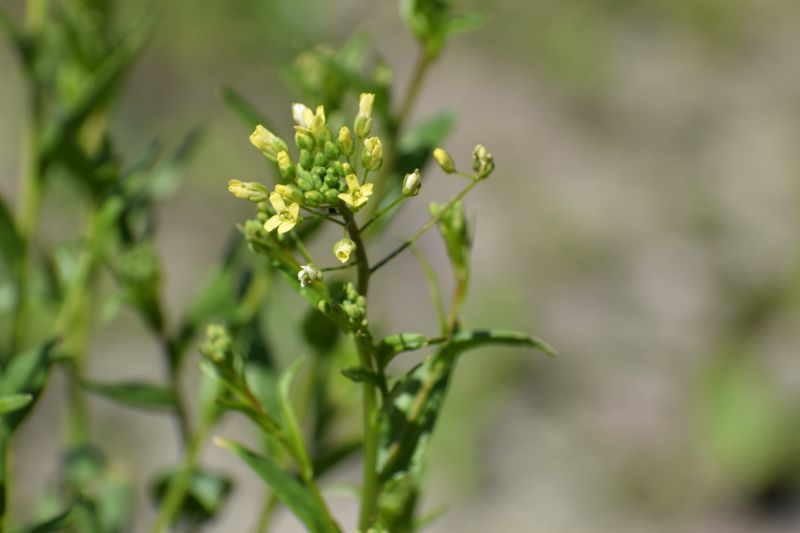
{"points": [[643, 219]]}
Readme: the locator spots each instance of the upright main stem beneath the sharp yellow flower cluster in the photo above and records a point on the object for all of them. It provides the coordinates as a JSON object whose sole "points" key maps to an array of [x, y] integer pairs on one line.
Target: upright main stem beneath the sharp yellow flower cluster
{"points": [[370, 488]]}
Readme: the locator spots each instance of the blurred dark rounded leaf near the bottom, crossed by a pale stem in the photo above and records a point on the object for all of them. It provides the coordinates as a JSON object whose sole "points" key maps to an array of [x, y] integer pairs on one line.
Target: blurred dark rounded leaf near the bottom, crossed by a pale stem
{"points": [[205, 497]]}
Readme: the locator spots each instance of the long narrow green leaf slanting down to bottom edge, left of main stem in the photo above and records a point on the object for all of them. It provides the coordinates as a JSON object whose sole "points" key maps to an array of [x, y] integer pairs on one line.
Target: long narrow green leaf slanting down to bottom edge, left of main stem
{"points": [[295, 496]]}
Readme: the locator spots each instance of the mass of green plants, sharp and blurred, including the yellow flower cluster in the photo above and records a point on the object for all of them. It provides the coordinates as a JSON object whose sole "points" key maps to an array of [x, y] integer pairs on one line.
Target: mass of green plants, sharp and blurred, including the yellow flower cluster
{"points": [[350, 170]]}
